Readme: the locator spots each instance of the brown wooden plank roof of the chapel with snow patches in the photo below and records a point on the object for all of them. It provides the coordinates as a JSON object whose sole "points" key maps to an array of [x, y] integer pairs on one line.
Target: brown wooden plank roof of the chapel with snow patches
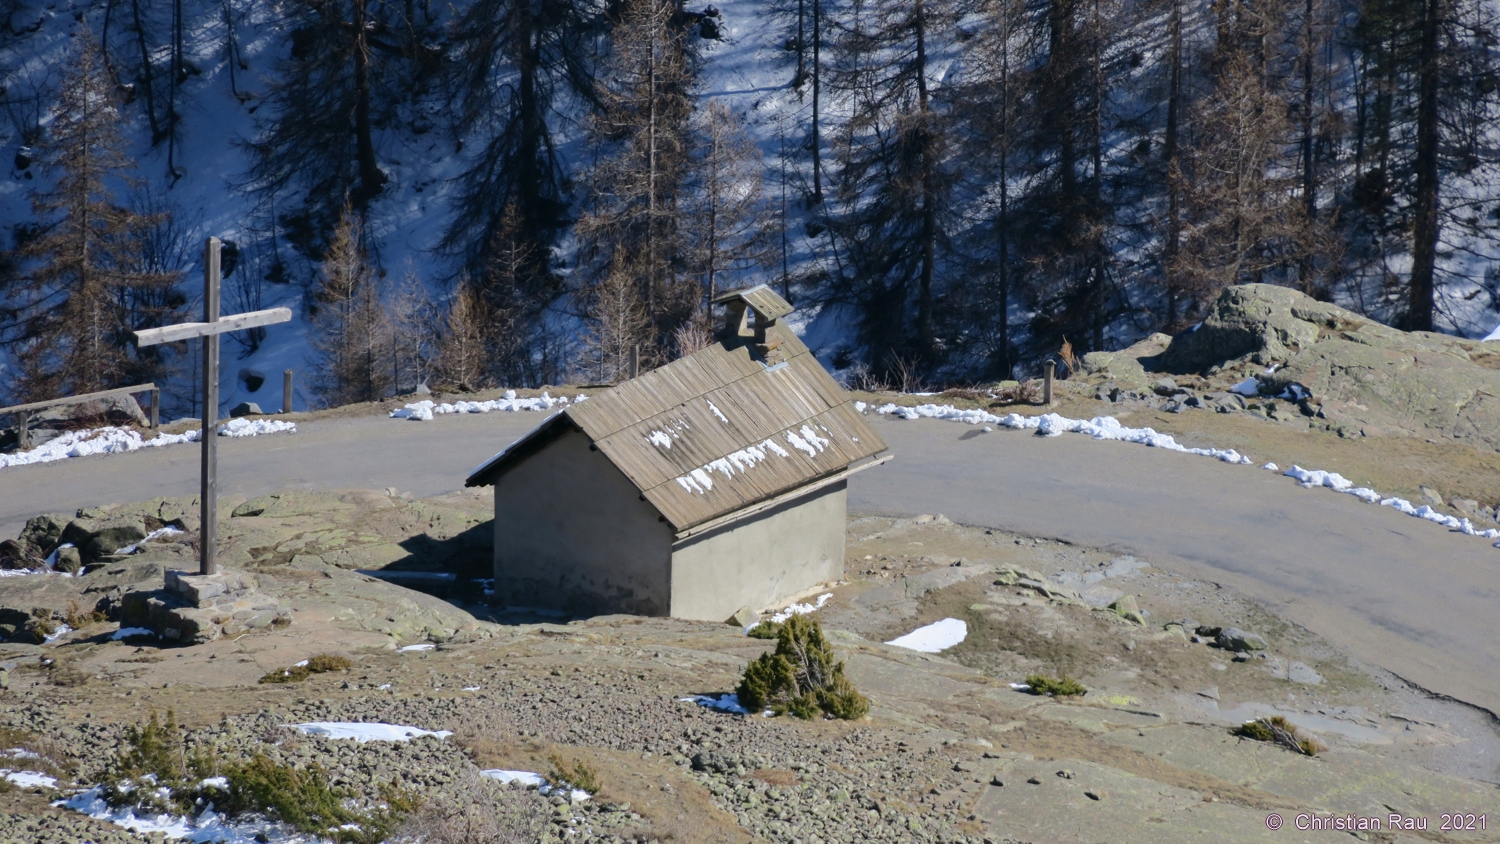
{"points": [[718, 431]]}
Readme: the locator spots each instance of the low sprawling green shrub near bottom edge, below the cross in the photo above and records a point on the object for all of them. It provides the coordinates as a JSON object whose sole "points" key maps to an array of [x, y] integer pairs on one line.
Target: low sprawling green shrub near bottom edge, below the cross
{"points": [[305, 801]]}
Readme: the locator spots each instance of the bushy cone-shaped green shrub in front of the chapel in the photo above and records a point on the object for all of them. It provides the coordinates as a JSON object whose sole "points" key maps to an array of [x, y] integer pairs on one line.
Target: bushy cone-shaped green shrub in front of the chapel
{"points": [[802, 677]]}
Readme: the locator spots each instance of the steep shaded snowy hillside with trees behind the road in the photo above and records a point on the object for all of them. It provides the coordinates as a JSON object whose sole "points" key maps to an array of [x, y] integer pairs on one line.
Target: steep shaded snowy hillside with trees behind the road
{"points": [[1015, 223]]}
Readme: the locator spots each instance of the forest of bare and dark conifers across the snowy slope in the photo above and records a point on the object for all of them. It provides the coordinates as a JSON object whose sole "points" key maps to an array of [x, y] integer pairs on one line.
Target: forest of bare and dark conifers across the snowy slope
{"points": [[970, 182]]}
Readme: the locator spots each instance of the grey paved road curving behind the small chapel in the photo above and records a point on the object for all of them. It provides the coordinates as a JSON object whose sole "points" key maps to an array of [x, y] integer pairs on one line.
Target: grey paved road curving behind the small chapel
{"points": [[1396, 591]]}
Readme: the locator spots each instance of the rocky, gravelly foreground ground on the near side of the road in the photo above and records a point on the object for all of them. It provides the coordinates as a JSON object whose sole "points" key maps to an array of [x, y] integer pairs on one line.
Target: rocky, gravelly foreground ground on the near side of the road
{"points": [[950, 752]]}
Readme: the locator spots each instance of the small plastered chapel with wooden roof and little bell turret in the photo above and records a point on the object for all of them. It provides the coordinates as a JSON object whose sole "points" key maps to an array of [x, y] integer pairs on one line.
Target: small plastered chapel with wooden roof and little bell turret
{"points": [[710, 485]]}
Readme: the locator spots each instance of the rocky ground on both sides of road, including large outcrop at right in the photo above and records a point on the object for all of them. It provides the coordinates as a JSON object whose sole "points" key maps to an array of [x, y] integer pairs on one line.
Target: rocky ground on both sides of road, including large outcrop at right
{"points": [[952, 750]]}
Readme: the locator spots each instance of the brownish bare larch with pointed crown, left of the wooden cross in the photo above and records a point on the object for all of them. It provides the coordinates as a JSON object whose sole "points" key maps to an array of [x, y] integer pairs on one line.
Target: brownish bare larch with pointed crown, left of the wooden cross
{"points": [[85, 280]]}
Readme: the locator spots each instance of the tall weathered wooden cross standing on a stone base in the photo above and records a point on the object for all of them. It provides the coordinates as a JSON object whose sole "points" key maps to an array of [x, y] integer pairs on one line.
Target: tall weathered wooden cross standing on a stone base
{"points": [[211, 329]]}
